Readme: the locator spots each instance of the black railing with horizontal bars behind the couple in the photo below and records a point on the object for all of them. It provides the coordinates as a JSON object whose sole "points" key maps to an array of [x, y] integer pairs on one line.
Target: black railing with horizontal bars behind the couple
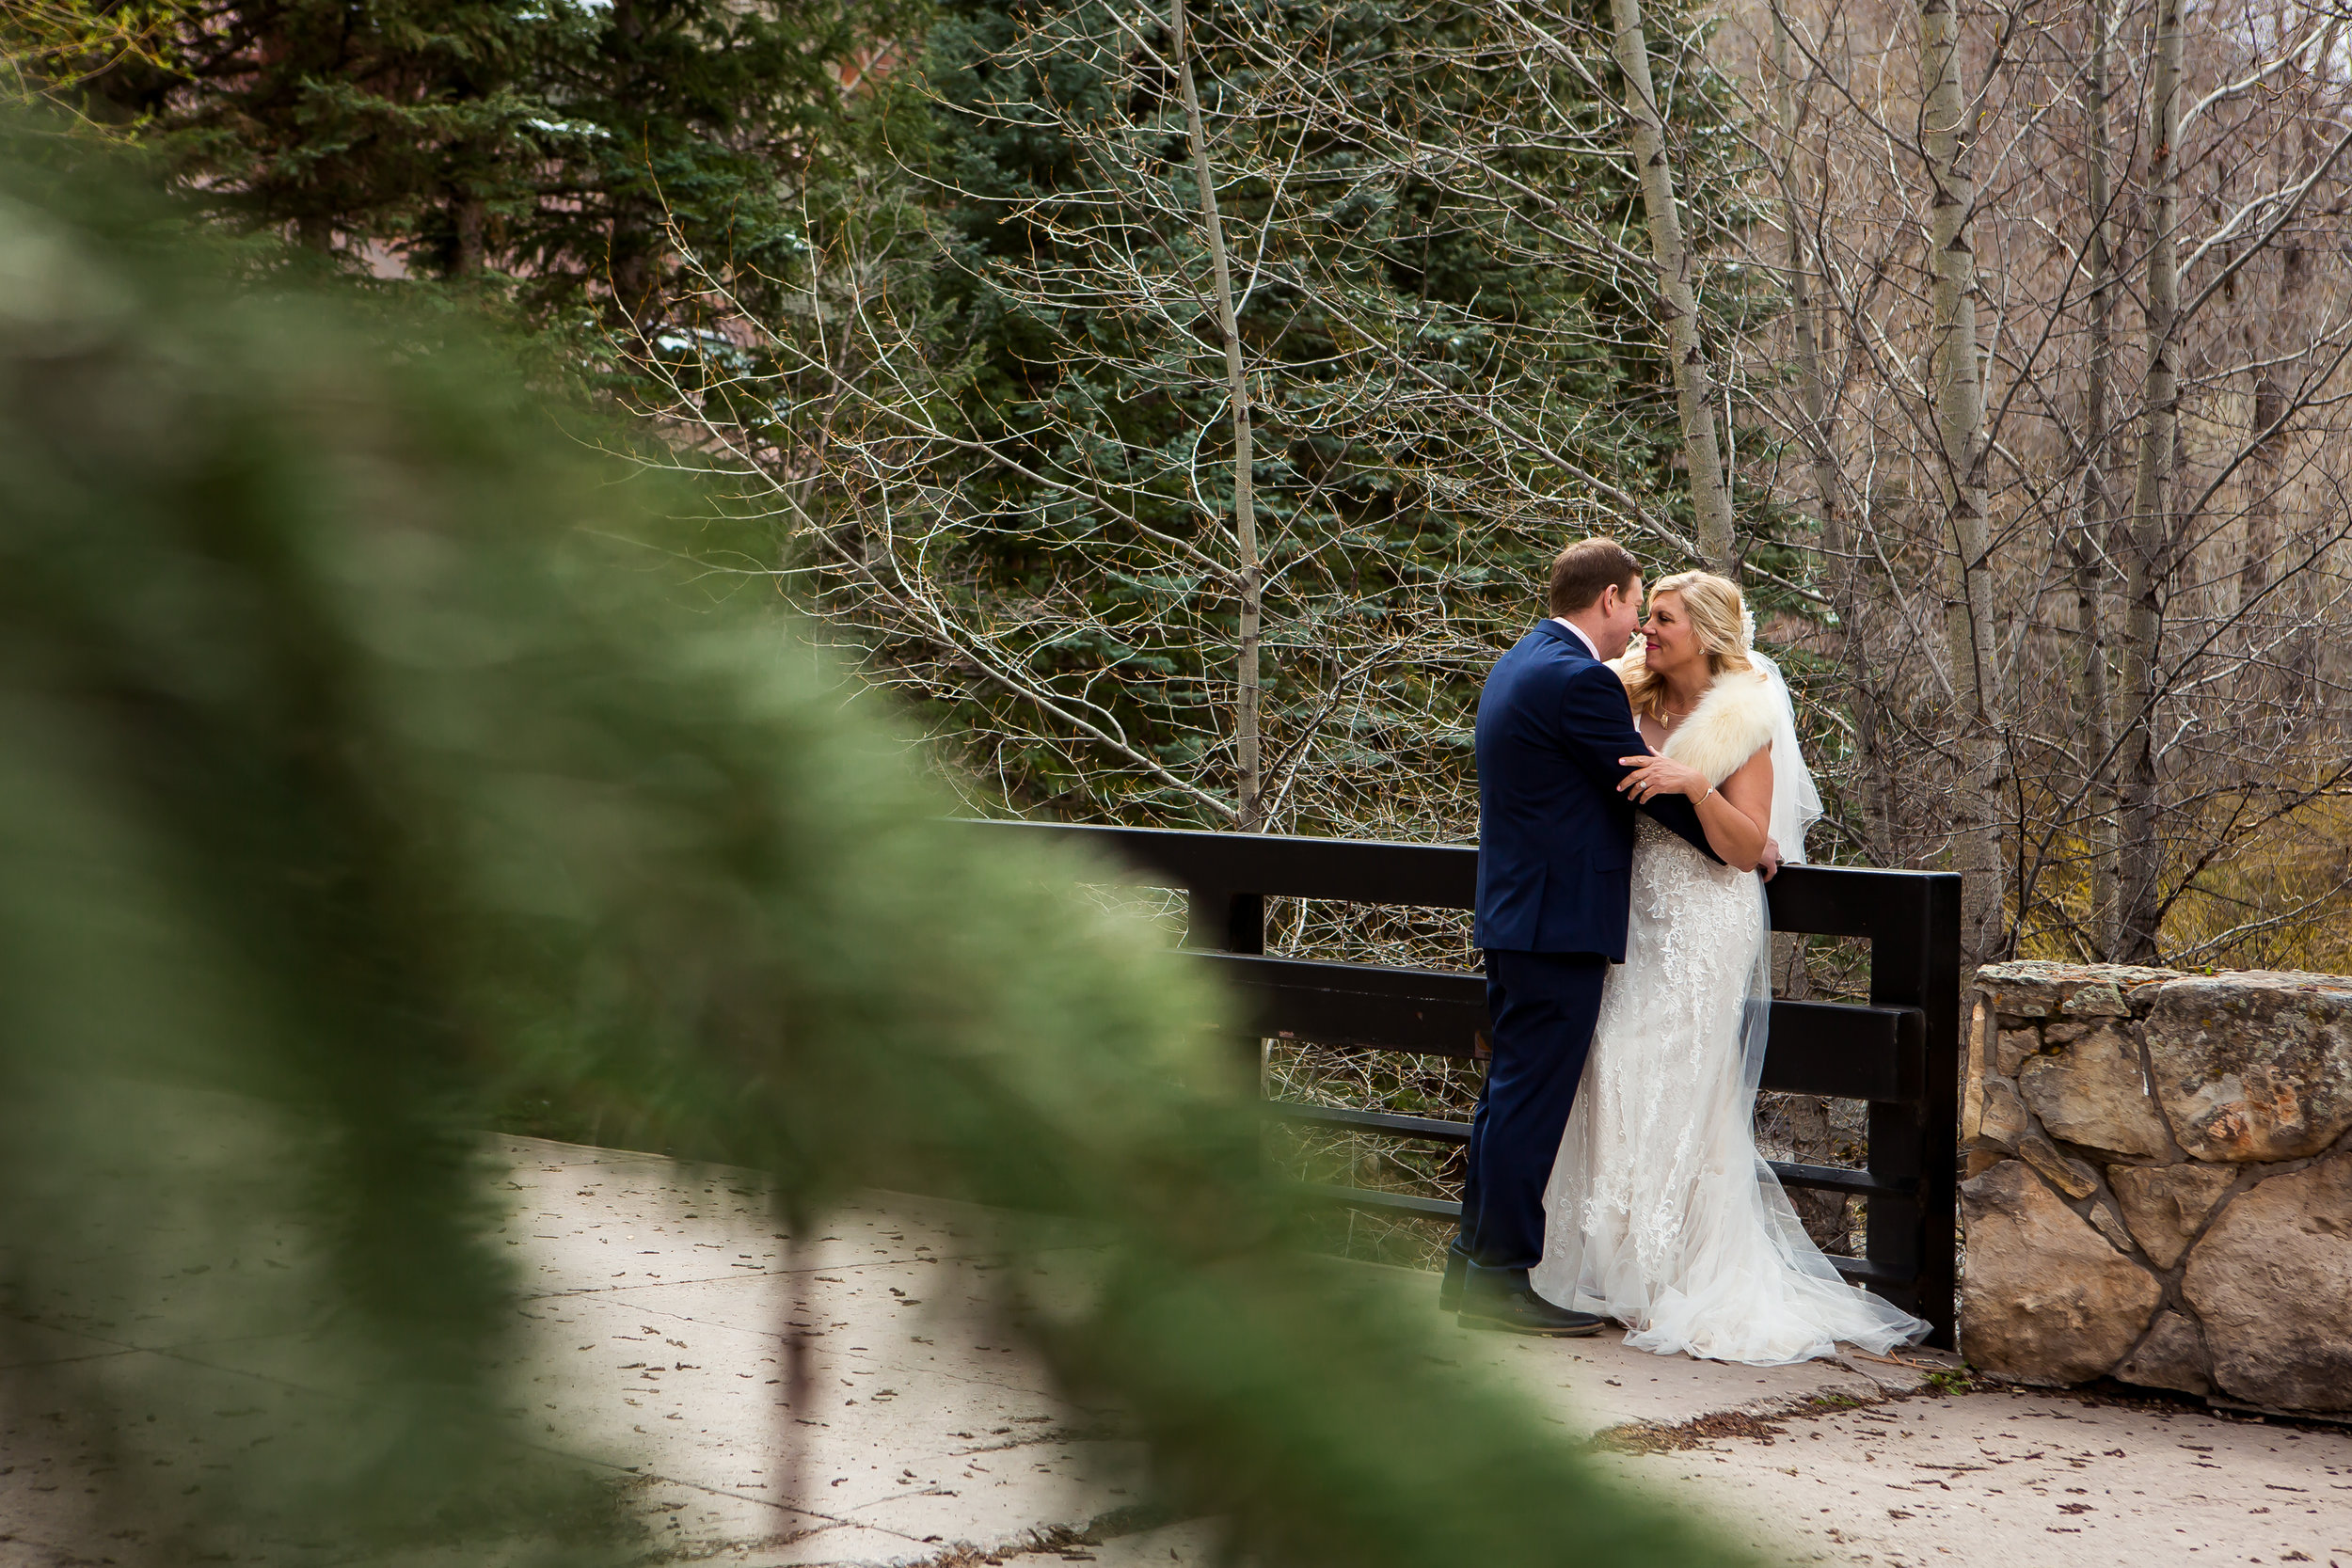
{"points": [[1899, 1052]]}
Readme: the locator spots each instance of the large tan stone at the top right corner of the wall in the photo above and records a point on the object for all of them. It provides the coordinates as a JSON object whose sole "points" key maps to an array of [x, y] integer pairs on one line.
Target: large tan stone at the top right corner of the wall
{"points": [[2254, 1066]]}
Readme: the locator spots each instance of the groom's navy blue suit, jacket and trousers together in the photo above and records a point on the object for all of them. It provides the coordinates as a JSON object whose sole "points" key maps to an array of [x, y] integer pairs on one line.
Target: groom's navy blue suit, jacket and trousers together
{"points": [[1553, 892]]}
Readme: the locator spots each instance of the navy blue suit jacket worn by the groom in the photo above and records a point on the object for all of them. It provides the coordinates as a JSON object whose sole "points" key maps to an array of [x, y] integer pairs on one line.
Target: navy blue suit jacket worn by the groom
{"points": [[1553, 836]]}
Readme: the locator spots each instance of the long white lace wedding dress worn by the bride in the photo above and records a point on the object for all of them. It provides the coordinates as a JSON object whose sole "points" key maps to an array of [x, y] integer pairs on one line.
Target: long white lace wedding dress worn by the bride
{"points": [[1659, 1212]]}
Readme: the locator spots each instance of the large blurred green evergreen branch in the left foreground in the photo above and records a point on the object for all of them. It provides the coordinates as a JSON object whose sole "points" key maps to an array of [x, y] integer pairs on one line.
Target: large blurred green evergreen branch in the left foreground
{"points": [[366, 763]]}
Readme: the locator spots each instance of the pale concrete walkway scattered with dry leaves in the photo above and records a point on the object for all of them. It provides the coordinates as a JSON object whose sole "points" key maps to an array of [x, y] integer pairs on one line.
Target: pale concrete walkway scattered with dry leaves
{"points": [[655, 1353]]}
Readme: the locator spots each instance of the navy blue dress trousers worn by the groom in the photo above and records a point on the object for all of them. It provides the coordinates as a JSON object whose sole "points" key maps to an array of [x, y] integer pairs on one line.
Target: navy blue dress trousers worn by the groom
{"points": [[1542, 1007]]}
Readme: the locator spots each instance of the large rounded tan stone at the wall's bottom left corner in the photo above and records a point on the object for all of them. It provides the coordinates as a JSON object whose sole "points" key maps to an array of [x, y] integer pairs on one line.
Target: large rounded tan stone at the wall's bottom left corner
{"points": [[2045, 1296]]}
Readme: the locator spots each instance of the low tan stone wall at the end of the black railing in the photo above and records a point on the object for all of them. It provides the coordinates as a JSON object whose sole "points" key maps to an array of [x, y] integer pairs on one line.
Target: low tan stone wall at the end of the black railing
{"points": [[2160, 1181]]}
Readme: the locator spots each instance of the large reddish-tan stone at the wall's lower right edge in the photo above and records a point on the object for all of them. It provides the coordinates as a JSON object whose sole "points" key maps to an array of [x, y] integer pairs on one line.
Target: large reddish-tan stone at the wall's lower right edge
{"points": [[2273, 1285]]}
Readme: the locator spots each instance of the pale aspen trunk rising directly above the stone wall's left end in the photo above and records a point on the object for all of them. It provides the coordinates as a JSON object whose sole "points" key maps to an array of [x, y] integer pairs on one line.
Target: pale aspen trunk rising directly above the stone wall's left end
{"points": [[1946, 142]]}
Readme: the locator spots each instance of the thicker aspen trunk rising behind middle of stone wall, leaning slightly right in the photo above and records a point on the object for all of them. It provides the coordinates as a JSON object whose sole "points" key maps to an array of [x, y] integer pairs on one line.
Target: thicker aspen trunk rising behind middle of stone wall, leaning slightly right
{"points": [[2151, 554]]}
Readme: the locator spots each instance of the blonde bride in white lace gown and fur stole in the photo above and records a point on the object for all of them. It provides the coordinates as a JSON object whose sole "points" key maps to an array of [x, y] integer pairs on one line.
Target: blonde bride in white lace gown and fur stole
{"points": [[1659, 1209]]}
